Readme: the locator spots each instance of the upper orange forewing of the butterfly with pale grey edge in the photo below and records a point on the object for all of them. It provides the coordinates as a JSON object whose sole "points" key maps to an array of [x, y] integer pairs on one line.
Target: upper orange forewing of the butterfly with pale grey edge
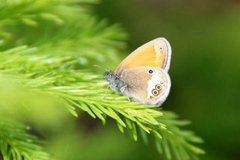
{"points": [[156, 53]]}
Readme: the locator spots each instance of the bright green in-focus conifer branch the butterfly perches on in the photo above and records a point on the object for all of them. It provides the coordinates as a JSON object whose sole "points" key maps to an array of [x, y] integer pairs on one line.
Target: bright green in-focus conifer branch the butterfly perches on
{"points": [[87, 91]]}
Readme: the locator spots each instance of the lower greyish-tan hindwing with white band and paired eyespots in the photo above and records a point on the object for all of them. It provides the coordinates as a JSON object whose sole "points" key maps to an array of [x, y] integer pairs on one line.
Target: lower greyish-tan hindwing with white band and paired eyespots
{"points": [[145, 87]]}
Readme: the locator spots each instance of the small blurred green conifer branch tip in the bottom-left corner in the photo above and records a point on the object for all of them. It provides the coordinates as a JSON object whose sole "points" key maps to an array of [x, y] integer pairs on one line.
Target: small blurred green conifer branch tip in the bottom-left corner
{"points": [[17, 144]]}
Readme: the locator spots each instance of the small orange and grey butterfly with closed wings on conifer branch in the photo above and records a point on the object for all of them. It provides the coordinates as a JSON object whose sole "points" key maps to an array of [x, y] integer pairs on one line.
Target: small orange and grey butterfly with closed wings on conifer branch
{"points": [[143, 75]]}
